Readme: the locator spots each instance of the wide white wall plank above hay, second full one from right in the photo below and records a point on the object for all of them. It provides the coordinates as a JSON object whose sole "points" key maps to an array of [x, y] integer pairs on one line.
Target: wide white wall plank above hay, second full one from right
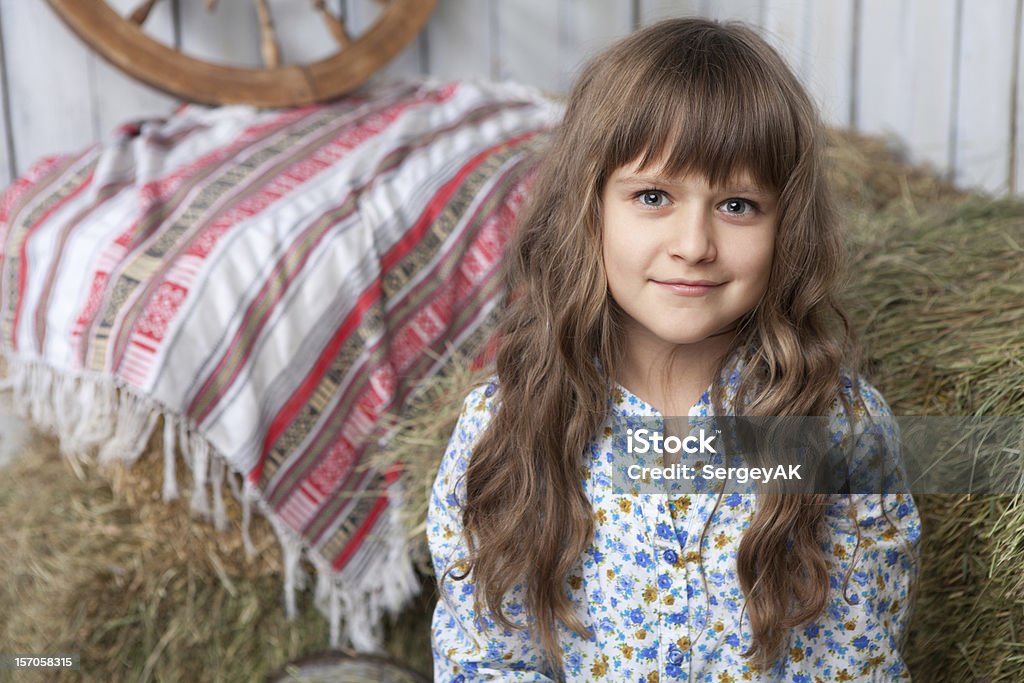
{"points": [[906, 75]]}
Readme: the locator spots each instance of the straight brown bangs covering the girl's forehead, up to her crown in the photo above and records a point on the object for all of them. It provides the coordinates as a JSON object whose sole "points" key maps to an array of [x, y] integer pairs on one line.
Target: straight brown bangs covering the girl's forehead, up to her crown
{"points": [[692, 114]]}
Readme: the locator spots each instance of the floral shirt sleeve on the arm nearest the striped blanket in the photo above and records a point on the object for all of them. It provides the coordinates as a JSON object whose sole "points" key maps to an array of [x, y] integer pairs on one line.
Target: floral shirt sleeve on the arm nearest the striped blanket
{"points": [[465, 649]]}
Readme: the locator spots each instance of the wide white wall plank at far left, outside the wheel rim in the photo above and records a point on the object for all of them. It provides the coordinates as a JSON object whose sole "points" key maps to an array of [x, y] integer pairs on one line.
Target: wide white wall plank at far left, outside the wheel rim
{"points": [[50, 74]]}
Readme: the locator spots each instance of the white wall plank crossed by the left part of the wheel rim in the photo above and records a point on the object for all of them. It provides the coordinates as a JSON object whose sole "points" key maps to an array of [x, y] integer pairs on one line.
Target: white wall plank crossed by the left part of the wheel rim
{"points": [[119, 99]]}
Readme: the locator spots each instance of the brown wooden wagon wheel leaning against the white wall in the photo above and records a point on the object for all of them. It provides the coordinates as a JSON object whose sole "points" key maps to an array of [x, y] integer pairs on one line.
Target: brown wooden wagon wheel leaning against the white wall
{"points": [[122, 41]]}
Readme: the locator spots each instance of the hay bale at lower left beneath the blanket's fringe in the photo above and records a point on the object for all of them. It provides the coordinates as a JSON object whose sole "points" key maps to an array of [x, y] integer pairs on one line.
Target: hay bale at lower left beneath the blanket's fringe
{"points": [[141, 589]]}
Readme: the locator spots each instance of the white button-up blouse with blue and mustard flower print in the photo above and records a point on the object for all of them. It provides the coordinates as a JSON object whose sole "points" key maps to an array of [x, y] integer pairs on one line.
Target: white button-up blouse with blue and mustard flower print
{"points": [[657, 610]]}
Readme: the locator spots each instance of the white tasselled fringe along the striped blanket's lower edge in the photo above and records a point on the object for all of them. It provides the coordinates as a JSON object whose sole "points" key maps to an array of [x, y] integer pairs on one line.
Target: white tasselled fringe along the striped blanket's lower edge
{"points": [[98, 420]]}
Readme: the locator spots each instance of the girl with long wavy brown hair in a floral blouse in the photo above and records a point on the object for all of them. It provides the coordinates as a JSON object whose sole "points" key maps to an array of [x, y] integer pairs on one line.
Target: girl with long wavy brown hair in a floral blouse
{"points": [[679, 257]]}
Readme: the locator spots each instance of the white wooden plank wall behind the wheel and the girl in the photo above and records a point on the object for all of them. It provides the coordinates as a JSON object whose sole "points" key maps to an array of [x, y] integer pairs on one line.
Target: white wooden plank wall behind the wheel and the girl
{"points": [[945, 79]]}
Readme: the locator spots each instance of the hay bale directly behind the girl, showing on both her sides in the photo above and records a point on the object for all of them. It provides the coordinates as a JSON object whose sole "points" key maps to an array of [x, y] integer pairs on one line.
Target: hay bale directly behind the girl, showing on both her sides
{"points": [[936, 291]]}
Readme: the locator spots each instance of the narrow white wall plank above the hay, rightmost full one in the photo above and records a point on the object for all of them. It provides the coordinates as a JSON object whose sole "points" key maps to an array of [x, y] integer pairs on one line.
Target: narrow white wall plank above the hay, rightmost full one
{"points": [[986, 72]]}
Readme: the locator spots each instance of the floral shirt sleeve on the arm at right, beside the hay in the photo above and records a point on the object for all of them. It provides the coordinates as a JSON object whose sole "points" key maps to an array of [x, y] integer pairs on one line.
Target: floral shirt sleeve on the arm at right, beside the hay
{"points": [[872, 582]]}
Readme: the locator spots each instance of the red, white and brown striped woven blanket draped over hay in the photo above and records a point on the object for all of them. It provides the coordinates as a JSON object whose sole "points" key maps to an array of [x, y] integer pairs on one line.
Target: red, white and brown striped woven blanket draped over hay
{"points": [[267, 286]]}
